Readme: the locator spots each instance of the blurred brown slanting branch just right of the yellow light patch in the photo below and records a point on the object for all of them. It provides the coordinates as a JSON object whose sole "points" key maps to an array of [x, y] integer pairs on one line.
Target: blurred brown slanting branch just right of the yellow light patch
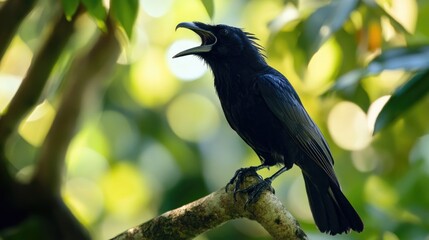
{"points": [[83, 78]]}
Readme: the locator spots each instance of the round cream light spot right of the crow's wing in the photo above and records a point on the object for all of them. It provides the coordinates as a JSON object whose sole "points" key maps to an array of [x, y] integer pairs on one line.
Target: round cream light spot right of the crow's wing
{"points": [[348, 126]]}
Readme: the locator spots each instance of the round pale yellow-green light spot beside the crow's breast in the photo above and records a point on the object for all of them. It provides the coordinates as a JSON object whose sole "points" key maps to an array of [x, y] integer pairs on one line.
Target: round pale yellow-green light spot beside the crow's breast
{"points": [[193, 117]]}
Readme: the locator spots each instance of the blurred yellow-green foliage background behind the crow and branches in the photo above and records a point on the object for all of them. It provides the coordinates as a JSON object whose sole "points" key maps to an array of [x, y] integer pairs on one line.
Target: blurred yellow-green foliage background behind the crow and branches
{"points": [[158, 138]]}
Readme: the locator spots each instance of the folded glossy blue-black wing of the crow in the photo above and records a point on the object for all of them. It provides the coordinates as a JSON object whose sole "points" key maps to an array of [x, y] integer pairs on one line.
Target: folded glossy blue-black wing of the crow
{"points": [[283, 101]]}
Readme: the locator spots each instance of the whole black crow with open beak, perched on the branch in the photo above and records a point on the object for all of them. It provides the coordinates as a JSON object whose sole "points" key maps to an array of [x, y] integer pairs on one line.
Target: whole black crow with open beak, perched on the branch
{"points": [[263, 108]]}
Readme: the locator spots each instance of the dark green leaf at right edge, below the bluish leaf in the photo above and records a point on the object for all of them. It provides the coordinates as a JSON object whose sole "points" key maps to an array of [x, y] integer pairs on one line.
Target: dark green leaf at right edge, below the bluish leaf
{"points": [[403, 99]]}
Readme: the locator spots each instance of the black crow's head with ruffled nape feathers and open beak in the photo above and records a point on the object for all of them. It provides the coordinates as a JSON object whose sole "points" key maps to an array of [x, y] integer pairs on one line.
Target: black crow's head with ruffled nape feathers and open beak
{"points": [[221, 42]]}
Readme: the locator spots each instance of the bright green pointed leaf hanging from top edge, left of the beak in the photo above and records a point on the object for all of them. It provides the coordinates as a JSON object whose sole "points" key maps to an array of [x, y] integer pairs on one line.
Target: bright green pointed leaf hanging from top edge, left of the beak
{"points": [[125, 12]]}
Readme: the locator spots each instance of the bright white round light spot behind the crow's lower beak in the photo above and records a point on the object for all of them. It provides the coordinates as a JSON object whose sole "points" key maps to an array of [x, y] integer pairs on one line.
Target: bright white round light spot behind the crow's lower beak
{"points": [[188, 67]]}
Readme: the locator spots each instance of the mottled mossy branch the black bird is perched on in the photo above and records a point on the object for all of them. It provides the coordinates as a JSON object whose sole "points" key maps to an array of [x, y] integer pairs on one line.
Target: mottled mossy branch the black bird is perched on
{"points": [[212, 210]]}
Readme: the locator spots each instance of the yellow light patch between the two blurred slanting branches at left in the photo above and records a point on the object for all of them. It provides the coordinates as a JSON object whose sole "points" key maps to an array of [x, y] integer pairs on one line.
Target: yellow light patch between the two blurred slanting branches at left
{"points": [[37, 124]]}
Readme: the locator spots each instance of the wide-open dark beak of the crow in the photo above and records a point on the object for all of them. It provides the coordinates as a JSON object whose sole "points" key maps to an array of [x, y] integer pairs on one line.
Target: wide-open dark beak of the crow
{"points": [[208, 39]]}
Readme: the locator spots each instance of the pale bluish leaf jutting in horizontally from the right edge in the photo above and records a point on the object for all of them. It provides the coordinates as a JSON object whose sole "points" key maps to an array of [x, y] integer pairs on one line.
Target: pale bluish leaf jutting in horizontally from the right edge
{"points": [[410, 58]]}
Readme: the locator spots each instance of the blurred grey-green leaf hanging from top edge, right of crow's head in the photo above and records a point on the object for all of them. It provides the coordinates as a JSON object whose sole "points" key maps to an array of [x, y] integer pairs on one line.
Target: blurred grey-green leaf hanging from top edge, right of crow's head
{"points": [[324, 22]]}
